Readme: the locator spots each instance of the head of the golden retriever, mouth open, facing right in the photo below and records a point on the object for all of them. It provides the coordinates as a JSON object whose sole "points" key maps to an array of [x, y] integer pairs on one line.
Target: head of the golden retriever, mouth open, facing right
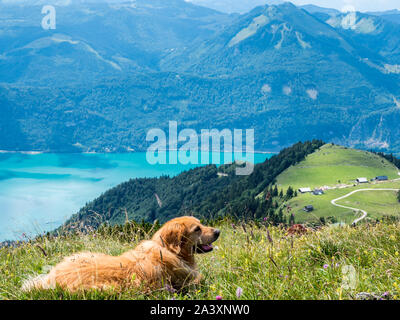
{"points": [[186, 236]]}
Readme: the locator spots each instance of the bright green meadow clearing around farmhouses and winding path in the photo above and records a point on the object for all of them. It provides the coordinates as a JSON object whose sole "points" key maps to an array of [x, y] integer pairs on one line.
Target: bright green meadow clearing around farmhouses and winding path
{"points": [[338, 167]]}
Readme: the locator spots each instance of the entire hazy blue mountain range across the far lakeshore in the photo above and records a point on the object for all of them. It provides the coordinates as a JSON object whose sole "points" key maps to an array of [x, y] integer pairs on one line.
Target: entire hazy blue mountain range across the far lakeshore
{"points": [[113, 70]]}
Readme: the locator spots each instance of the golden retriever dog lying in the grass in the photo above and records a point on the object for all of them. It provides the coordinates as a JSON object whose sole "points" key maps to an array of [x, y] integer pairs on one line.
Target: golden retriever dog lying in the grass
{"points": [[168, 258]]}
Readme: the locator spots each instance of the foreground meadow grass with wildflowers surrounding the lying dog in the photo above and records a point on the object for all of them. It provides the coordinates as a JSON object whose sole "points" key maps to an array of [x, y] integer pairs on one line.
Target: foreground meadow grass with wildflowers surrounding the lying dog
{"points": [[287, 268]]}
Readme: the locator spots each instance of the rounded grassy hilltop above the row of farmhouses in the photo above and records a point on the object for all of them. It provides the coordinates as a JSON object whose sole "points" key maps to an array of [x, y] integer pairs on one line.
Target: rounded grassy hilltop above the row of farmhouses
{"points": [[332, 165]]}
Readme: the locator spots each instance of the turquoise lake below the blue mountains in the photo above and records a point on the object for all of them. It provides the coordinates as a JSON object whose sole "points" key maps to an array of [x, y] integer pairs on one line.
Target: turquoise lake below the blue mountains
{"points": [[39, 192]]}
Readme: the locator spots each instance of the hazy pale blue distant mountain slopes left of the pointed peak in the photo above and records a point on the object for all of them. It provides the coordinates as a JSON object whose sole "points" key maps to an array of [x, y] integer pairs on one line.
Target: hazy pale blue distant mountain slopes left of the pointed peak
{"points": [[96, 40]]}
